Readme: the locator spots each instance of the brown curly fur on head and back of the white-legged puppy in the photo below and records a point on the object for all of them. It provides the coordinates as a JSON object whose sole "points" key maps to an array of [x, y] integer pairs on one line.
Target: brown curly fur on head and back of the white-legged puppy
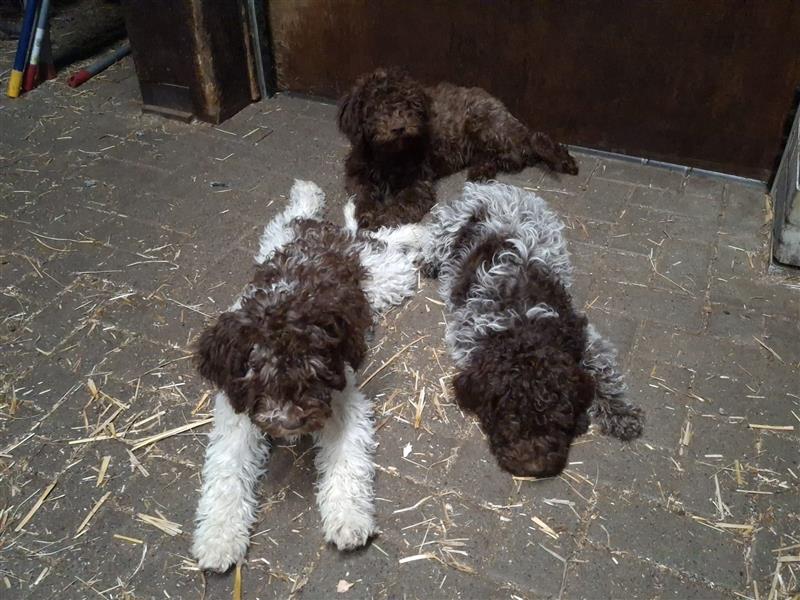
{"points": [[303, 318]]}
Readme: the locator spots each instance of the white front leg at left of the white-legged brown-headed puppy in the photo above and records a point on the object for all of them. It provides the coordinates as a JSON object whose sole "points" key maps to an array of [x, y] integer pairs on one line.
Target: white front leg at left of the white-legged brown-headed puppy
{"points": [[235, 459]]}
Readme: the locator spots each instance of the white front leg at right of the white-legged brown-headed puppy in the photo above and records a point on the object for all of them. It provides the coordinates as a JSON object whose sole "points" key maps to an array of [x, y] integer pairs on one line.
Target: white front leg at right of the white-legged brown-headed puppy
{"points": [[345, 493]]}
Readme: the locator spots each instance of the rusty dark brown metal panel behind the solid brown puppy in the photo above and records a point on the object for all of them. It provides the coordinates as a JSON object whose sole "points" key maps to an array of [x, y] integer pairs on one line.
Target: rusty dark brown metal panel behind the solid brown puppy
{"points": [[709, 84]]}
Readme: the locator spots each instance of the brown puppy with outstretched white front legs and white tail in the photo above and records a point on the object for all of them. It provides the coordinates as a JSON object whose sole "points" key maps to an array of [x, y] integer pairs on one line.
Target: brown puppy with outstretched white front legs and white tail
{"points": [[283, 358]]}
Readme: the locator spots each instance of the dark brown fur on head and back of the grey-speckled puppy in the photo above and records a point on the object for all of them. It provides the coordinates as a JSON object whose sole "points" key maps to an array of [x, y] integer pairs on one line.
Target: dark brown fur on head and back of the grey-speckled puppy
{"points": [[526, 384]]}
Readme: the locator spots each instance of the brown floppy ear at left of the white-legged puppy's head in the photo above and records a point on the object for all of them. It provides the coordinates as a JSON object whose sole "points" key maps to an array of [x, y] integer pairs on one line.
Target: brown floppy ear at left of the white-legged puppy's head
{"points": [[222, 353]]}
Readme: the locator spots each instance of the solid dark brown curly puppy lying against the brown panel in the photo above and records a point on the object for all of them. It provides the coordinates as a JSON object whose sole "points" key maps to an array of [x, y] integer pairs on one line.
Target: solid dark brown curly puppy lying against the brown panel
{"points": [[404, 136]]}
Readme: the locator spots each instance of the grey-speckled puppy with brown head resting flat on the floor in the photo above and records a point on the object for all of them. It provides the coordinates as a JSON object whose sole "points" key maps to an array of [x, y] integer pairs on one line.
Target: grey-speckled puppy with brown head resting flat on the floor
{"points": [[530, 367]]}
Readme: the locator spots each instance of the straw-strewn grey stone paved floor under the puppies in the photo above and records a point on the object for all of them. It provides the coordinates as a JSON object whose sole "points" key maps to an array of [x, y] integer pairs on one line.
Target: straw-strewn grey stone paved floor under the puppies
{"points": [[121, 234]]}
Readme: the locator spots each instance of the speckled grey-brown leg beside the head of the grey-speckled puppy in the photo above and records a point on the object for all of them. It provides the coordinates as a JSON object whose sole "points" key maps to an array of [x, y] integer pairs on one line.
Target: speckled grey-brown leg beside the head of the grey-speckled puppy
{"points": [[614, 415]]}
